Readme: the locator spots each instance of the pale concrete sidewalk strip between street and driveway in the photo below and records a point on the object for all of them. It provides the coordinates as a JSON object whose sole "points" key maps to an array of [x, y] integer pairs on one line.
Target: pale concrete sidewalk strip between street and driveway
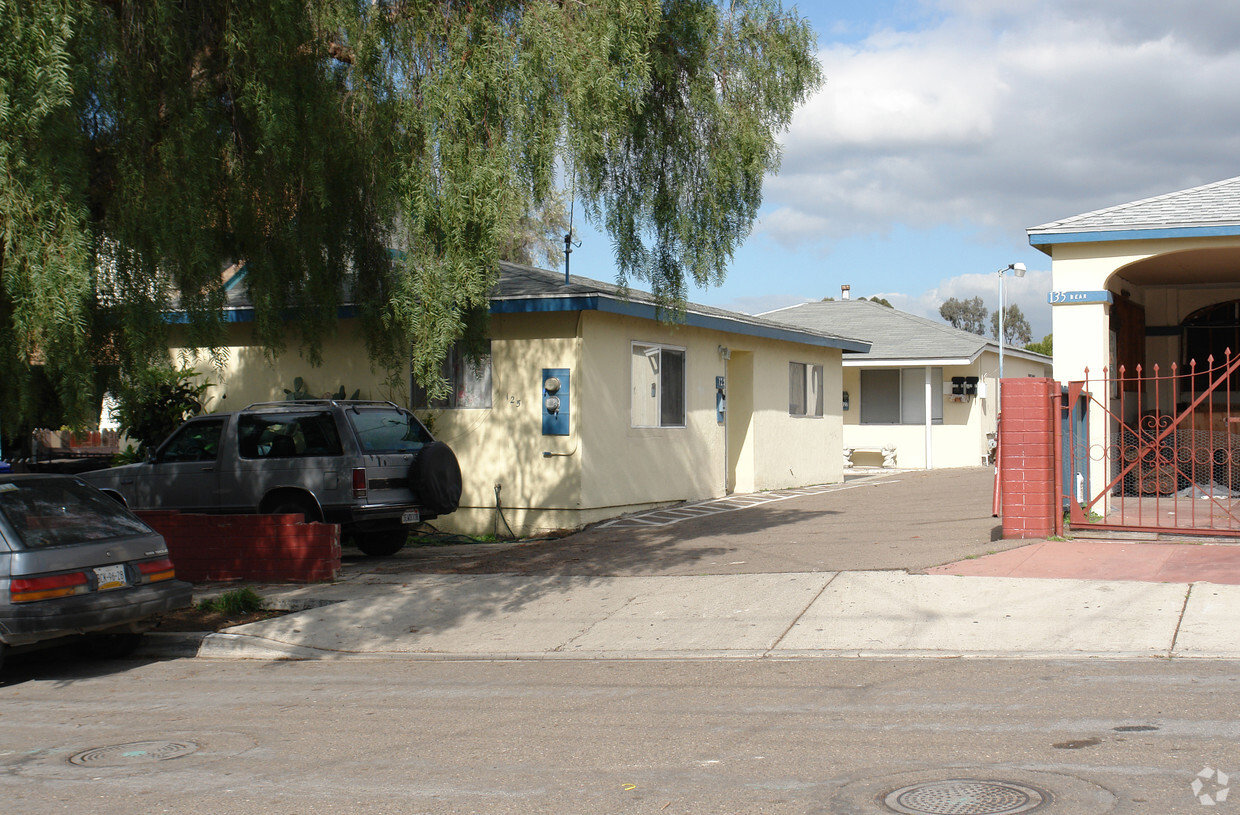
{"points": [[732, 616]]}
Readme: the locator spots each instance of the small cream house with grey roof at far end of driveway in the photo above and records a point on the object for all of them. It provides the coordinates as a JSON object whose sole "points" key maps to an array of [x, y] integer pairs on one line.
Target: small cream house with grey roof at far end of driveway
{"points": [[924, 391]]}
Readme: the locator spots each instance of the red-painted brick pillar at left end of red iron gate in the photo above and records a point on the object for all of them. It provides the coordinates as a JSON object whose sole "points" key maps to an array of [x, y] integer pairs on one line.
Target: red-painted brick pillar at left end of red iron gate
{"points": [[1027, 457]]}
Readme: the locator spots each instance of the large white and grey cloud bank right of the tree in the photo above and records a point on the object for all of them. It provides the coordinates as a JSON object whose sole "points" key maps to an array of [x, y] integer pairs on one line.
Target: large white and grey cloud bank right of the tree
{"points": [[1011, 115]]}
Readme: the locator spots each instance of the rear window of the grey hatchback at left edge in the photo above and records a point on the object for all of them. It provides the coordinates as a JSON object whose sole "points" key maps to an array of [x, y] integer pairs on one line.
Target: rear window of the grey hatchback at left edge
{"points": [[58, 512]]}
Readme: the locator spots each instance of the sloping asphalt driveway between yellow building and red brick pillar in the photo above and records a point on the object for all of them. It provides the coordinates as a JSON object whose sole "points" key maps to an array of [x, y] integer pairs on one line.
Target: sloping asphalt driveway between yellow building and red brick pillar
{"points": [[911, 520]]}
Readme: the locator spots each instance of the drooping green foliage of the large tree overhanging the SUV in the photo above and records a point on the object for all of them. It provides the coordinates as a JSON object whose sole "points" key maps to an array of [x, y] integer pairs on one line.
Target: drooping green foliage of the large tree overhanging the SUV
{"points": [[380, 153]]}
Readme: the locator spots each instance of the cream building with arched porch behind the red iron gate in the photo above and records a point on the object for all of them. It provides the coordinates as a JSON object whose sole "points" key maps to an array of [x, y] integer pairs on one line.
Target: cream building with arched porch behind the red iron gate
{"points": [[1143, 295]]}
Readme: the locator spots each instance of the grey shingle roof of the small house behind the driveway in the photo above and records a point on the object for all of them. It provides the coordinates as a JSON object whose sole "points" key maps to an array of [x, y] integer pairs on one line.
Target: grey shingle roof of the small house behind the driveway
{"points": [[895, 336]]}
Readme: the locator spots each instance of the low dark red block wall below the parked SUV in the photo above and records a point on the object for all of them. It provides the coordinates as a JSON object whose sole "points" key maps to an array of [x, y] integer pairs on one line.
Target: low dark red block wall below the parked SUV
{"points": [[271, 549]]}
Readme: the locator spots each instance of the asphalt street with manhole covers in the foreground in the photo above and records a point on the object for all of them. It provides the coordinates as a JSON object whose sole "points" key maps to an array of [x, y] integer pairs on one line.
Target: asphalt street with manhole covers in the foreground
{"points": [[224, 737]]}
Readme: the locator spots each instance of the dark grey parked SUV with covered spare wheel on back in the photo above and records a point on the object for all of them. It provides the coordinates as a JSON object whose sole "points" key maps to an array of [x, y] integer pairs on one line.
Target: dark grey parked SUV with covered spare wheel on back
{"points": [[370, 467]]}
